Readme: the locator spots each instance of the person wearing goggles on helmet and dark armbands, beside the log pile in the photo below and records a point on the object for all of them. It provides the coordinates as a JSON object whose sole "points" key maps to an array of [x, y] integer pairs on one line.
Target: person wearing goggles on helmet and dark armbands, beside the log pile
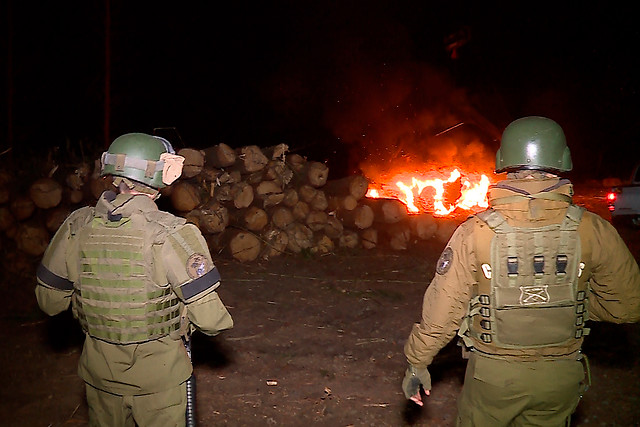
{"points": [[137, 279]]}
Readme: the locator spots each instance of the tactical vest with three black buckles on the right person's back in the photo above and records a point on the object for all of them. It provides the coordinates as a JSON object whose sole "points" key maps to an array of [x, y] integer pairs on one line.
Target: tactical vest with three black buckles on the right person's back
{"points": [[530, 299]]}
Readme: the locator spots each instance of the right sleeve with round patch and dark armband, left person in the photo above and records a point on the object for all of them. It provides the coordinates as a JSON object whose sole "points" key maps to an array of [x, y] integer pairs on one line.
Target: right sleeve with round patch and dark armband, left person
{"points": [[194, 278]]}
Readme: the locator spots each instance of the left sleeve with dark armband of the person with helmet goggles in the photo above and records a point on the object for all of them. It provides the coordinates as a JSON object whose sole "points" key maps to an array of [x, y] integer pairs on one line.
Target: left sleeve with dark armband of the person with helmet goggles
{"points": [[54, 289]]}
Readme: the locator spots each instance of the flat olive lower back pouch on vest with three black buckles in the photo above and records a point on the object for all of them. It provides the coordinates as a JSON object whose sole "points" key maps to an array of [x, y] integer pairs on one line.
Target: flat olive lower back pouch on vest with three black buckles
{"points": [[534, 326]]}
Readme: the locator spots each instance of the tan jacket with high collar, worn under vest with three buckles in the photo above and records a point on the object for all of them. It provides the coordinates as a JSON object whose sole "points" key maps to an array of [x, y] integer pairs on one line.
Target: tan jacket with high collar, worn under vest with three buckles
{"points": [[614, 278]]}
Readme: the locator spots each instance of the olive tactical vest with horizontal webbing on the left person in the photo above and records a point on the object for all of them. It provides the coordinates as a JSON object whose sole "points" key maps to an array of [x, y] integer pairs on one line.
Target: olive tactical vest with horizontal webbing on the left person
{"points": [[116, 298]]}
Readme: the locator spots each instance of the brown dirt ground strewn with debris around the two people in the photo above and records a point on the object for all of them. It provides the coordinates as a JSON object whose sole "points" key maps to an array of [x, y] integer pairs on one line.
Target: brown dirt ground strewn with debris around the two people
{"points": [[317, 341]]}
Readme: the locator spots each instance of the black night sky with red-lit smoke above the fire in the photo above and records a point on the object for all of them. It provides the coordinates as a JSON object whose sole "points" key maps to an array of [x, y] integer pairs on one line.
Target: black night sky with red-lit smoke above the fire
{"points": [[331, 79]]}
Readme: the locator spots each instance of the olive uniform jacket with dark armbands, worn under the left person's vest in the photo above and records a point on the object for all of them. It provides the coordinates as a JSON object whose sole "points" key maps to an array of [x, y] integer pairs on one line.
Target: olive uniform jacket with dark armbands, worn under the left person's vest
{"points": [[154, 365]]}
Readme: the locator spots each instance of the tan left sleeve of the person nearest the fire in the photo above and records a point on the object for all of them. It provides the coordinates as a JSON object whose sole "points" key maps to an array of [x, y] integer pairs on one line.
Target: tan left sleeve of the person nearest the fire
{"points": [[445, 301]]}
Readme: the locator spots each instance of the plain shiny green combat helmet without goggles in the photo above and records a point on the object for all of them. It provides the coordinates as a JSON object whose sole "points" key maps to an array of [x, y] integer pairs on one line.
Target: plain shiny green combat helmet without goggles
{"points": [[533, 143]]}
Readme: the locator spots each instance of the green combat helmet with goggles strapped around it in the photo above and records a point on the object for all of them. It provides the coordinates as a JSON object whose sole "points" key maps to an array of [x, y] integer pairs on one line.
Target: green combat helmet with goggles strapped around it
{"points": [[147, 159]]}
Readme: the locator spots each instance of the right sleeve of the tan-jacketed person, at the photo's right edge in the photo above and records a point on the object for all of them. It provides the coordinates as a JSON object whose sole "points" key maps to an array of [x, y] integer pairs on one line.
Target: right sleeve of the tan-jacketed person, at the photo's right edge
{"points": [[615, 279]]}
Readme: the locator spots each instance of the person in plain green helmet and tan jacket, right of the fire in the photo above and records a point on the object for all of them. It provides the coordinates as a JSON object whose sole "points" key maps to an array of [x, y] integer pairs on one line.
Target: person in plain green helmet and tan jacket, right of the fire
{"points": [[517, 283]]}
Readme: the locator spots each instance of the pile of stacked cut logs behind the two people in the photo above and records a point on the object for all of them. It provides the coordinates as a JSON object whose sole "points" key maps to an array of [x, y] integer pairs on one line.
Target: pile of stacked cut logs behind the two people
{"points": [[250, 203]]}
